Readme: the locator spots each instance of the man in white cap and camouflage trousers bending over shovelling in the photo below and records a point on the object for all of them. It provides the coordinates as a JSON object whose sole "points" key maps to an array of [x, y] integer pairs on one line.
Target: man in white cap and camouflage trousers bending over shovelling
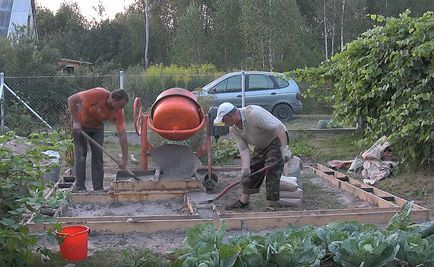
{"points": [[253, 125]]}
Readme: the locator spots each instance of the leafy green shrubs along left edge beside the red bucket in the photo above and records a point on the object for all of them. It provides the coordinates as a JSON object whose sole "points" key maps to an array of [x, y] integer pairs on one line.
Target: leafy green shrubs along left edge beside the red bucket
{"points": [[21, 191]]}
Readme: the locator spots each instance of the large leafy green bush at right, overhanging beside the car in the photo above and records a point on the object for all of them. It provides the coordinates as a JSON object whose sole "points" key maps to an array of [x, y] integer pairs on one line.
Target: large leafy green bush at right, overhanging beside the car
{"points": [[384, 81]]}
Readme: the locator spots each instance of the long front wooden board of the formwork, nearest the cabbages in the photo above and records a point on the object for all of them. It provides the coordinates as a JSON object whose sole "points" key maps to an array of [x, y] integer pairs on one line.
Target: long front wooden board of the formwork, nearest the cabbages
{"points": [[146, 225]]}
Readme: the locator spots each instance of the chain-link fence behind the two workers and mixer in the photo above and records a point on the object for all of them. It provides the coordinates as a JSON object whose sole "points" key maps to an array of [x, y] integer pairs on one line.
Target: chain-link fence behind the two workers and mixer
{"points": [[36, 103]]}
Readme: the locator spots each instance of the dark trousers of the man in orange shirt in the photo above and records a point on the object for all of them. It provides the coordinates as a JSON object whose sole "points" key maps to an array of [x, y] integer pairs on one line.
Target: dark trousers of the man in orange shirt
{"points": [[80, 143]]}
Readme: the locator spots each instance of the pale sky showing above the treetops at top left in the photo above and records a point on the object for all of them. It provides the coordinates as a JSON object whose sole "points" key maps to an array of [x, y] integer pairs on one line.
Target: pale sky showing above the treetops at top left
{"points": [[88, 7]]}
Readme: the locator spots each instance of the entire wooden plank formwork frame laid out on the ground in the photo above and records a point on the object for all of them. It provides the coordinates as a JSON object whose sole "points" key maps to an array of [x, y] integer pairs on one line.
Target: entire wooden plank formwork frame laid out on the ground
{"points": [[386, 206]]}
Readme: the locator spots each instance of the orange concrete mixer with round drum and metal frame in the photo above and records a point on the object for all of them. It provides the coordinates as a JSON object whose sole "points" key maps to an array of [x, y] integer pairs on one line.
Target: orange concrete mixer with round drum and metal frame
{"points": [[175, 115]]}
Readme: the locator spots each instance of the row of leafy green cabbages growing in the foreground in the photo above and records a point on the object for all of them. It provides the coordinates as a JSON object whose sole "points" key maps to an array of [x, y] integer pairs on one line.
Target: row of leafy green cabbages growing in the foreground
{"points": [[349, 243]]}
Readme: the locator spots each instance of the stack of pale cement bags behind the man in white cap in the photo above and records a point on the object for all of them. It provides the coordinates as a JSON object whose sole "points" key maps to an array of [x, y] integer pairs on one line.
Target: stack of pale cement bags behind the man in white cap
{"points": [[291, 193]]}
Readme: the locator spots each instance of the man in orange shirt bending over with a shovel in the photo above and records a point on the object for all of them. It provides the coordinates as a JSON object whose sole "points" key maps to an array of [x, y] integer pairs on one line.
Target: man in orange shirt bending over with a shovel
{"points": [[89, 109]]}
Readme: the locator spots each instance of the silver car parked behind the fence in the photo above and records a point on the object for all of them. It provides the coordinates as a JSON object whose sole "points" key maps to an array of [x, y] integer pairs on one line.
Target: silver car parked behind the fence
{"points": [[269, 90]]}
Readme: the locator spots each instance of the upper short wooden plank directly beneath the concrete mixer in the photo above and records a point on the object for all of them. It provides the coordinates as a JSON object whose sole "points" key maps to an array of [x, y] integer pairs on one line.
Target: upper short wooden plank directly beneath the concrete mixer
{"points": [[156, 185]]}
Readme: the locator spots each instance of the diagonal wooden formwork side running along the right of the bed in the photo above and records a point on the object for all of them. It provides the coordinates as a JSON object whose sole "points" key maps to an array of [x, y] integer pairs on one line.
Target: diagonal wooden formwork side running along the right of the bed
{"points": [[360, 193]]}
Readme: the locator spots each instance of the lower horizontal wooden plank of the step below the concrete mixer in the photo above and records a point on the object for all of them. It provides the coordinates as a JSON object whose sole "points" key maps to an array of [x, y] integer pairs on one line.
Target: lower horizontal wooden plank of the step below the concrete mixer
{"points": [[125, 196]]}
